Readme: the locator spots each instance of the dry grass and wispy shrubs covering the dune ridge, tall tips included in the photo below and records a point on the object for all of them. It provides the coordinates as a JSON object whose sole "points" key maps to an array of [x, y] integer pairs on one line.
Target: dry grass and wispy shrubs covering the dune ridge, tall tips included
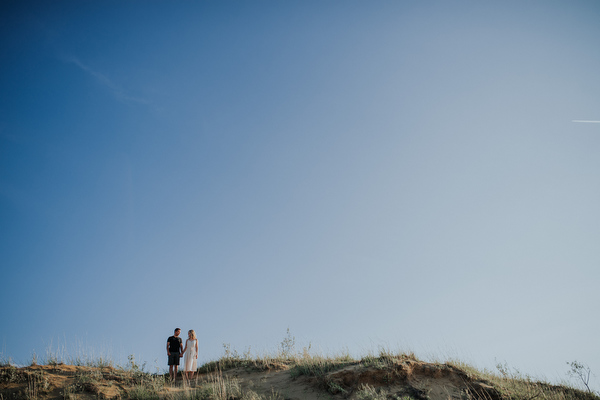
{"points": [[234, 376]]}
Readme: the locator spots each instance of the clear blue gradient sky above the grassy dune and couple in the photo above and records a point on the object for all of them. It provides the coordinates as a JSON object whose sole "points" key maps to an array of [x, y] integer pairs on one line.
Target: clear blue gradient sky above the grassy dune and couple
{"points": [[365, 173]]}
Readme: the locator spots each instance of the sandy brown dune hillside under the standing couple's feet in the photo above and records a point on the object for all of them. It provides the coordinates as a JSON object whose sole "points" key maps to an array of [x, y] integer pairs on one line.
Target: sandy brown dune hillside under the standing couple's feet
{"points": [[404, 379]]}
